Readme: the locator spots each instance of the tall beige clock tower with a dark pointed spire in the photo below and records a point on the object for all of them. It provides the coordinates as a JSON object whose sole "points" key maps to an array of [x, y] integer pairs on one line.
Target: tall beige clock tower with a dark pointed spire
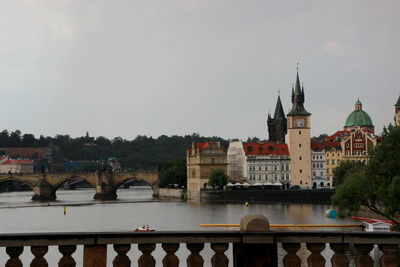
{"points": [[298, 124]]}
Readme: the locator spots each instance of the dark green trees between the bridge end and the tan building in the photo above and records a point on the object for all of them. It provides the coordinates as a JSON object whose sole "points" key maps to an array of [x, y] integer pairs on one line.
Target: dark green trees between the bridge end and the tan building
{"points": [[174, 172]]}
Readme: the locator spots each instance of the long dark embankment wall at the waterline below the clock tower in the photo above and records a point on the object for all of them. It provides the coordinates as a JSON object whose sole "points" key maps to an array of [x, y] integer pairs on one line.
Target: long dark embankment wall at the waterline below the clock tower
{"points": [[310, 196]]}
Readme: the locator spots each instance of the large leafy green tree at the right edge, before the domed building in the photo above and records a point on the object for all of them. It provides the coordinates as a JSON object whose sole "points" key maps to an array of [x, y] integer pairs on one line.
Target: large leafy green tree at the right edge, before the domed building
{"points": [[377, 187]]}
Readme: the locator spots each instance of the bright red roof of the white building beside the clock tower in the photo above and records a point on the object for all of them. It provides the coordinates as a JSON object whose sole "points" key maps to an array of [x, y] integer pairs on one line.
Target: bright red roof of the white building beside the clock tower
{"points": [[267, 148]]}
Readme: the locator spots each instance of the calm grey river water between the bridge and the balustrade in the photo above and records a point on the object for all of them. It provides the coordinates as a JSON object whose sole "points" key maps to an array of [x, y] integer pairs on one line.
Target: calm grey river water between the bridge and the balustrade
{"points": [[135, 207]]}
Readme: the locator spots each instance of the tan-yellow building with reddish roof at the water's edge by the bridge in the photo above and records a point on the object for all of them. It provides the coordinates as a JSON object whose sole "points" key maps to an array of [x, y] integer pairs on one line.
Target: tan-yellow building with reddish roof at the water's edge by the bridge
{"points": [[201, 158]]}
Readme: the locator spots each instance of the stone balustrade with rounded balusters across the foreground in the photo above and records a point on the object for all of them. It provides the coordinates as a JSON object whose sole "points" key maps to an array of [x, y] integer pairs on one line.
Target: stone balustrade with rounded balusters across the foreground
{"points": [[254, 245]]}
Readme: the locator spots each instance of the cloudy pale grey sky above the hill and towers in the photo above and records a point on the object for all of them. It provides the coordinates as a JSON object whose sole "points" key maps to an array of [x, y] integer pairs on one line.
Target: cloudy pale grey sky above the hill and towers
{"points": [[124, 68]]}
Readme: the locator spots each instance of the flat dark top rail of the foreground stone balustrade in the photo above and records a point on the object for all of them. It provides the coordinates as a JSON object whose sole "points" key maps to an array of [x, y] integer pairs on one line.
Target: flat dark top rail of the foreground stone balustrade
{"points": [[162, 237]]}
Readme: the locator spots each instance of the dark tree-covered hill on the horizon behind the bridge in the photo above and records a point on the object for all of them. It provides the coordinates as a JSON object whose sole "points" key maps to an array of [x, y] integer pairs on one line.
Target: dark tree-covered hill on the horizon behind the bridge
{"points": [[141, 153]]}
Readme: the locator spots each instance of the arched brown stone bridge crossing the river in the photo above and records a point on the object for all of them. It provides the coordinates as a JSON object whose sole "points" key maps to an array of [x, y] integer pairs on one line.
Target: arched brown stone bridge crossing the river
{"points": [[45, 185]]}
